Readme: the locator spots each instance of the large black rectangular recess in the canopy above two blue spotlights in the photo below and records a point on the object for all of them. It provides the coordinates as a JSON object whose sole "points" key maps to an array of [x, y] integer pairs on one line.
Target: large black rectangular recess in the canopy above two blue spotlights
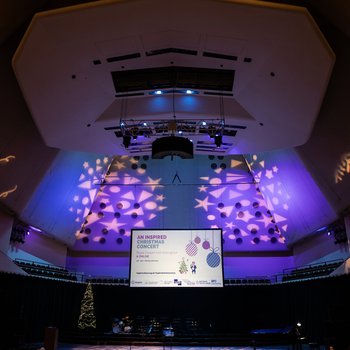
{"points": [[173, 77]]}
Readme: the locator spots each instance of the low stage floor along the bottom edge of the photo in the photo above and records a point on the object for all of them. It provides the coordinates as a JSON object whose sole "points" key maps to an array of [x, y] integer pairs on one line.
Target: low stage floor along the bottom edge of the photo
{"points": [[149, 342]]}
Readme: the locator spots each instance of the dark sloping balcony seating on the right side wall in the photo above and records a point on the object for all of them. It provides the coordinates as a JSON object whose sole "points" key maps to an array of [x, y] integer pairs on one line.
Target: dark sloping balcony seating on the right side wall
{"points": [[311, 271]]}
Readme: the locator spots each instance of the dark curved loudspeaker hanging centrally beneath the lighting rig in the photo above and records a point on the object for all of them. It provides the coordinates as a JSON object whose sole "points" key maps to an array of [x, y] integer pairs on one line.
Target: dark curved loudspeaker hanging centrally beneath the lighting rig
{"points": [[172, 146]]}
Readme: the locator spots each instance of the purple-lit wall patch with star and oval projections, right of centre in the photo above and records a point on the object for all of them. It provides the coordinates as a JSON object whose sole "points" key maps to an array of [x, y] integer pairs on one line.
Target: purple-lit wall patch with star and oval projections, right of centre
{"points": [[232, 199]]}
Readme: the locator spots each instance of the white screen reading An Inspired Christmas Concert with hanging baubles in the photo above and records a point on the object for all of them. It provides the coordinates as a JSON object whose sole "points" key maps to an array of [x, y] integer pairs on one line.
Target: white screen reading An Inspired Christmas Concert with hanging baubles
{"points": [[176, 258]]}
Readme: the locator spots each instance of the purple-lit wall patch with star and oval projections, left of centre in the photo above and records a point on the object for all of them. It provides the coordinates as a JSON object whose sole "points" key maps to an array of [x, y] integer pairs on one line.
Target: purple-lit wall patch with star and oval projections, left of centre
{"points": [[126, 198]]}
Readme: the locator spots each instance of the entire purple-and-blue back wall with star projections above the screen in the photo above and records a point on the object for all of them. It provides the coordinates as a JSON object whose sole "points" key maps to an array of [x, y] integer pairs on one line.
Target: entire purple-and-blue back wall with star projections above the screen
{"points": [[217, 192]]}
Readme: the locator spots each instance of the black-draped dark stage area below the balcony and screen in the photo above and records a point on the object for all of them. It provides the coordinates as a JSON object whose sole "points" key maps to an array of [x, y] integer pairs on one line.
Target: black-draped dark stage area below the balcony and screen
{"points": [[235, 316]]}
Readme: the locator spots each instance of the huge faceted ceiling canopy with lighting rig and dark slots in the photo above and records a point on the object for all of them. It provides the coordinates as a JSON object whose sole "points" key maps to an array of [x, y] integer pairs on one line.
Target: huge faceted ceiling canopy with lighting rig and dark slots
{"points": [[71, 62]]}
